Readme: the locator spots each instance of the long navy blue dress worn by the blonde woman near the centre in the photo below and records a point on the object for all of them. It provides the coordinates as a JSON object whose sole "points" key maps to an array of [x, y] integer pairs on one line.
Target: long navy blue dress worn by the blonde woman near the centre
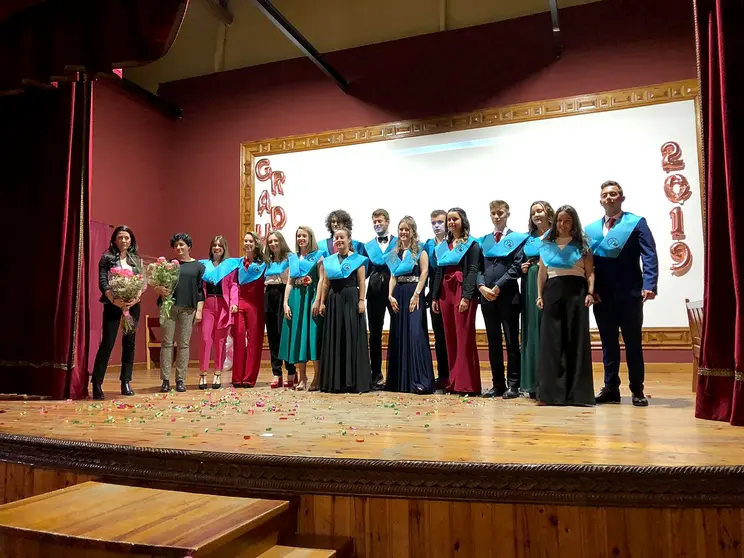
{"points": [[410, 367]]}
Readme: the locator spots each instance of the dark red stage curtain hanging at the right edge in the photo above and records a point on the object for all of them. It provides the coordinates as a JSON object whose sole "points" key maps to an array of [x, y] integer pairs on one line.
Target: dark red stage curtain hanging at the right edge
{"points": [[720, 44]]}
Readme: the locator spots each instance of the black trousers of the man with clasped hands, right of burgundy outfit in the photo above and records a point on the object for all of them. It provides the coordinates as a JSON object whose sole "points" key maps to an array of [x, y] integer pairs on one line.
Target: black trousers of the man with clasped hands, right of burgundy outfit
{"points": [[497, 315]]}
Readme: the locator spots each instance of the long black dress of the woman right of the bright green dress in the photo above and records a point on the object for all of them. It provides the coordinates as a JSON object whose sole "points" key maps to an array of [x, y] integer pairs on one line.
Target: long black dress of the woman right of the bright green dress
{"points": [[344, 358]]}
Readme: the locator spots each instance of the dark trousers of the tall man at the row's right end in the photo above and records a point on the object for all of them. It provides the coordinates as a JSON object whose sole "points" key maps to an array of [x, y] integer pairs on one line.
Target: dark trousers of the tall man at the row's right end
{"points": [[626, 315]]}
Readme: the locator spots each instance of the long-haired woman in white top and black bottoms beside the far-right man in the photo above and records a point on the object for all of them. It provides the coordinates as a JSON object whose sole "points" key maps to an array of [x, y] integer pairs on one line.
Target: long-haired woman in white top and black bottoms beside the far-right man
{"points": [[565, 291]]}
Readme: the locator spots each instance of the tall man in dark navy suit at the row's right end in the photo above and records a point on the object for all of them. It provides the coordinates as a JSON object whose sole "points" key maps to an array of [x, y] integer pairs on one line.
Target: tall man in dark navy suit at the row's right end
{"points": [[622, 242]]}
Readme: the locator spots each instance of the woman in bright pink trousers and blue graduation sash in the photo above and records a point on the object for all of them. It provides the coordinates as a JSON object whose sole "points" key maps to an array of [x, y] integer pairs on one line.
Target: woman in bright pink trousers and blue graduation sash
{"points": [[221, 302]]}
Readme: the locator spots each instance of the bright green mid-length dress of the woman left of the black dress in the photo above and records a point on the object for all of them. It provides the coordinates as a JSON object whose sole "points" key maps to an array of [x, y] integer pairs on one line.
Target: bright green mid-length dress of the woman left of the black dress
{"points": [[301, 335]]}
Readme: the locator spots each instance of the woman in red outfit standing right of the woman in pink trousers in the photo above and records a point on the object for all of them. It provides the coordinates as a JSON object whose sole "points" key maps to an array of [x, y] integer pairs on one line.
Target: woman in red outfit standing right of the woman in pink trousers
{"points": [[248, 322]]}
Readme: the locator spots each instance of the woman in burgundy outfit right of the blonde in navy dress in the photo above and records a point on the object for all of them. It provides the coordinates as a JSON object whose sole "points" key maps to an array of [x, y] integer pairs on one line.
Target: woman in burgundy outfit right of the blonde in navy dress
{"points": [[453, 294]]}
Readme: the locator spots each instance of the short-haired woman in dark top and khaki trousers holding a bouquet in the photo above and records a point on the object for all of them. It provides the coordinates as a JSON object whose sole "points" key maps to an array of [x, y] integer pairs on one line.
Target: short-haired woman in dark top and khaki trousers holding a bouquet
{"points": [[188, 304]]}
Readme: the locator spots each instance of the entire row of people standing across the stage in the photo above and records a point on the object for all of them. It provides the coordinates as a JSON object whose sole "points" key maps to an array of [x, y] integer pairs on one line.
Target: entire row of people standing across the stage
{"points": [[326, 304]]}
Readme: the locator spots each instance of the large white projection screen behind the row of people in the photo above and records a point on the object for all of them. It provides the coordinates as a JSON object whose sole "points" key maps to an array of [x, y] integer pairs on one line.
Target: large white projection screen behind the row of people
{"points": [[561, 160]]}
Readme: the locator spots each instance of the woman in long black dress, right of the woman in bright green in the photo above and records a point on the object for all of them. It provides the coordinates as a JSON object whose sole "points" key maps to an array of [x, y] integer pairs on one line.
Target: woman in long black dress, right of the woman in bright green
{"points": [[345, 364]]}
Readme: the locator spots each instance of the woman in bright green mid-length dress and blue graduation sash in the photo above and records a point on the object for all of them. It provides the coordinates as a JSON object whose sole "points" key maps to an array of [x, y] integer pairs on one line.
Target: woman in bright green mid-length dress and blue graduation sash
{"points": [[301, 330]]}
